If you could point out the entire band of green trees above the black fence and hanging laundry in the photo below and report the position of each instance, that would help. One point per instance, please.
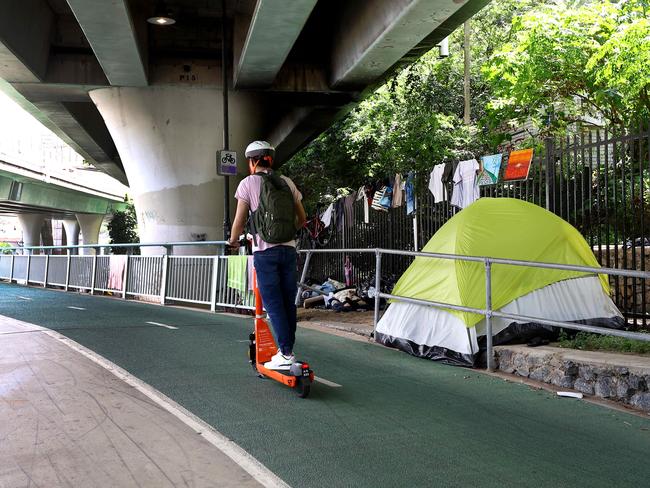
(552, 63)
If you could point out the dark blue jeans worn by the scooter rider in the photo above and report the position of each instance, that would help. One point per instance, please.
(276, 279)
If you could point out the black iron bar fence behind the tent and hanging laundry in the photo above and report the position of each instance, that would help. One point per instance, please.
(597, 181)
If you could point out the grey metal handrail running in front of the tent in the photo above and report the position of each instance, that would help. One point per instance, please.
(488, 312)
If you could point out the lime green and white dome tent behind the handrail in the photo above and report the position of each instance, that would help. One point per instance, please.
(499, 228)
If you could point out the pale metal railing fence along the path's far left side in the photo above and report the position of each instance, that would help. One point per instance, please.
(165, 278)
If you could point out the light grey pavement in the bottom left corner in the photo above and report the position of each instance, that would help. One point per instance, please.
(69, 422)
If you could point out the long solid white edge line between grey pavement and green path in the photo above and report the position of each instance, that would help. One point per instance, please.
(231, 449)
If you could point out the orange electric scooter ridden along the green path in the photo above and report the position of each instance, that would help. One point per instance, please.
(262, 347)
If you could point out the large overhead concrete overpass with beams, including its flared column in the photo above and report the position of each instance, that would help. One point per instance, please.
(144, 101)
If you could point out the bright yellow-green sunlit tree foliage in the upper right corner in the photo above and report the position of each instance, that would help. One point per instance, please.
(566, 61)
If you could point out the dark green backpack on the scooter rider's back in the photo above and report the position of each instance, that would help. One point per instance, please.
(275, 218)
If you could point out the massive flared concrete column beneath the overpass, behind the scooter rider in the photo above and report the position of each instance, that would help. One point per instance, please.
(168, 138)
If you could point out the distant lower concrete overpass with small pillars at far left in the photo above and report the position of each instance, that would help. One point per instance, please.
(34, 196)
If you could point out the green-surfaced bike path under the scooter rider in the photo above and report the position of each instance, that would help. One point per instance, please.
(395, 421)
